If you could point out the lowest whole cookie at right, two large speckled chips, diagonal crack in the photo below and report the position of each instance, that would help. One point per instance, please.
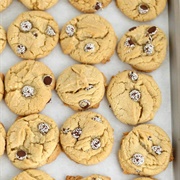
(146, 151)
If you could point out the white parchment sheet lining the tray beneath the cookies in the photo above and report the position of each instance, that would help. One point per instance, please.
(57, 61)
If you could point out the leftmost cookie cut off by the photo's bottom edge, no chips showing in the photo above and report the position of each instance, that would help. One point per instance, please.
(32, 174)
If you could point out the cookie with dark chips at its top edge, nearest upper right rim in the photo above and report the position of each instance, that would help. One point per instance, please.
(143, 47)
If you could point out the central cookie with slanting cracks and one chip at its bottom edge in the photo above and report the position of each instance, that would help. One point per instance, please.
(81, 87)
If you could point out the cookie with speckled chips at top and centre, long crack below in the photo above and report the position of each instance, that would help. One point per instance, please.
(134, 97)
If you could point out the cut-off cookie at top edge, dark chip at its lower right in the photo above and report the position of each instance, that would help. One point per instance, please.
(90, 6)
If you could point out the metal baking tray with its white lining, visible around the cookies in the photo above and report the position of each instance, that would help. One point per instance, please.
(169, 20)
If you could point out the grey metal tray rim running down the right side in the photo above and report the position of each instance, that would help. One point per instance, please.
(174, 30)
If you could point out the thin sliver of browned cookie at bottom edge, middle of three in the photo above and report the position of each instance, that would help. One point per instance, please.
(92, 177)
